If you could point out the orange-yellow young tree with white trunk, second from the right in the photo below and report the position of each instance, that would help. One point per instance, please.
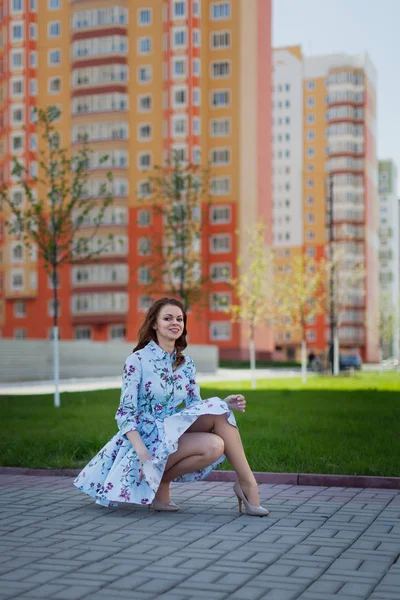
(300, 298)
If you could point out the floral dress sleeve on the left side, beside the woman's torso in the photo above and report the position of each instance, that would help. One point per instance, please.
(127, 413)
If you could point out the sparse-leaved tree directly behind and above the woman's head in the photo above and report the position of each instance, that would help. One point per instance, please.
(177, 192)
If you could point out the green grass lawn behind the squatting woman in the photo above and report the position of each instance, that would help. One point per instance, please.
(347, 425)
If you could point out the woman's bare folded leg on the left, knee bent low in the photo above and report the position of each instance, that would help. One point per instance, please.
(195, 451)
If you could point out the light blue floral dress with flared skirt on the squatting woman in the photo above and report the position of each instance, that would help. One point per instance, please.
(161, 404)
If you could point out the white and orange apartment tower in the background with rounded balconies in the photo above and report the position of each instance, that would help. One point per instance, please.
(324, 121)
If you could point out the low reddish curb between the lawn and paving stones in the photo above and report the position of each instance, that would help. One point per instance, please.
(355, 481)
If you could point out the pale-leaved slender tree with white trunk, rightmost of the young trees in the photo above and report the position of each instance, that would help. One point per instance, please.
(348, 275)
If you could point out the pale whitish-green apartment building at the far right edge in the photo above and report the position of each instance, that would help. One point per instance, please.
(389, 250)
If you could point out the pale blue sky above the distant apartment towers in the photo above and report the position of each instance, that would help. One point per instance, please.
(353, 27)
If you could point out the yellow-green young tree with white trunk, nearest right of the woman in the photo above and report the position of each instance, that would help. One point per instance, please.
(254, 288)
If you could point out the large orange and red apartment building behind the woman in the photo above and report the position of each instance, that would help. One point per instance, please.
(139, 78)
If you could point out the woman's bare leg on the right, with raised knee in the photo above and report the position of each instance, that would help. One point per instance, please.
(234, 451)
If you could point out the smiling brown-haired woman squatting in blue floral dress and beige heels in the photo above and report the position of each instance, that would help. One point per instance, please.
(159, 441)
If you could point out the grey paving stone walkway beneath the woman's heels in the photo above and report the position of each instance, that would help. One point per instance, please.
(318, 543)
